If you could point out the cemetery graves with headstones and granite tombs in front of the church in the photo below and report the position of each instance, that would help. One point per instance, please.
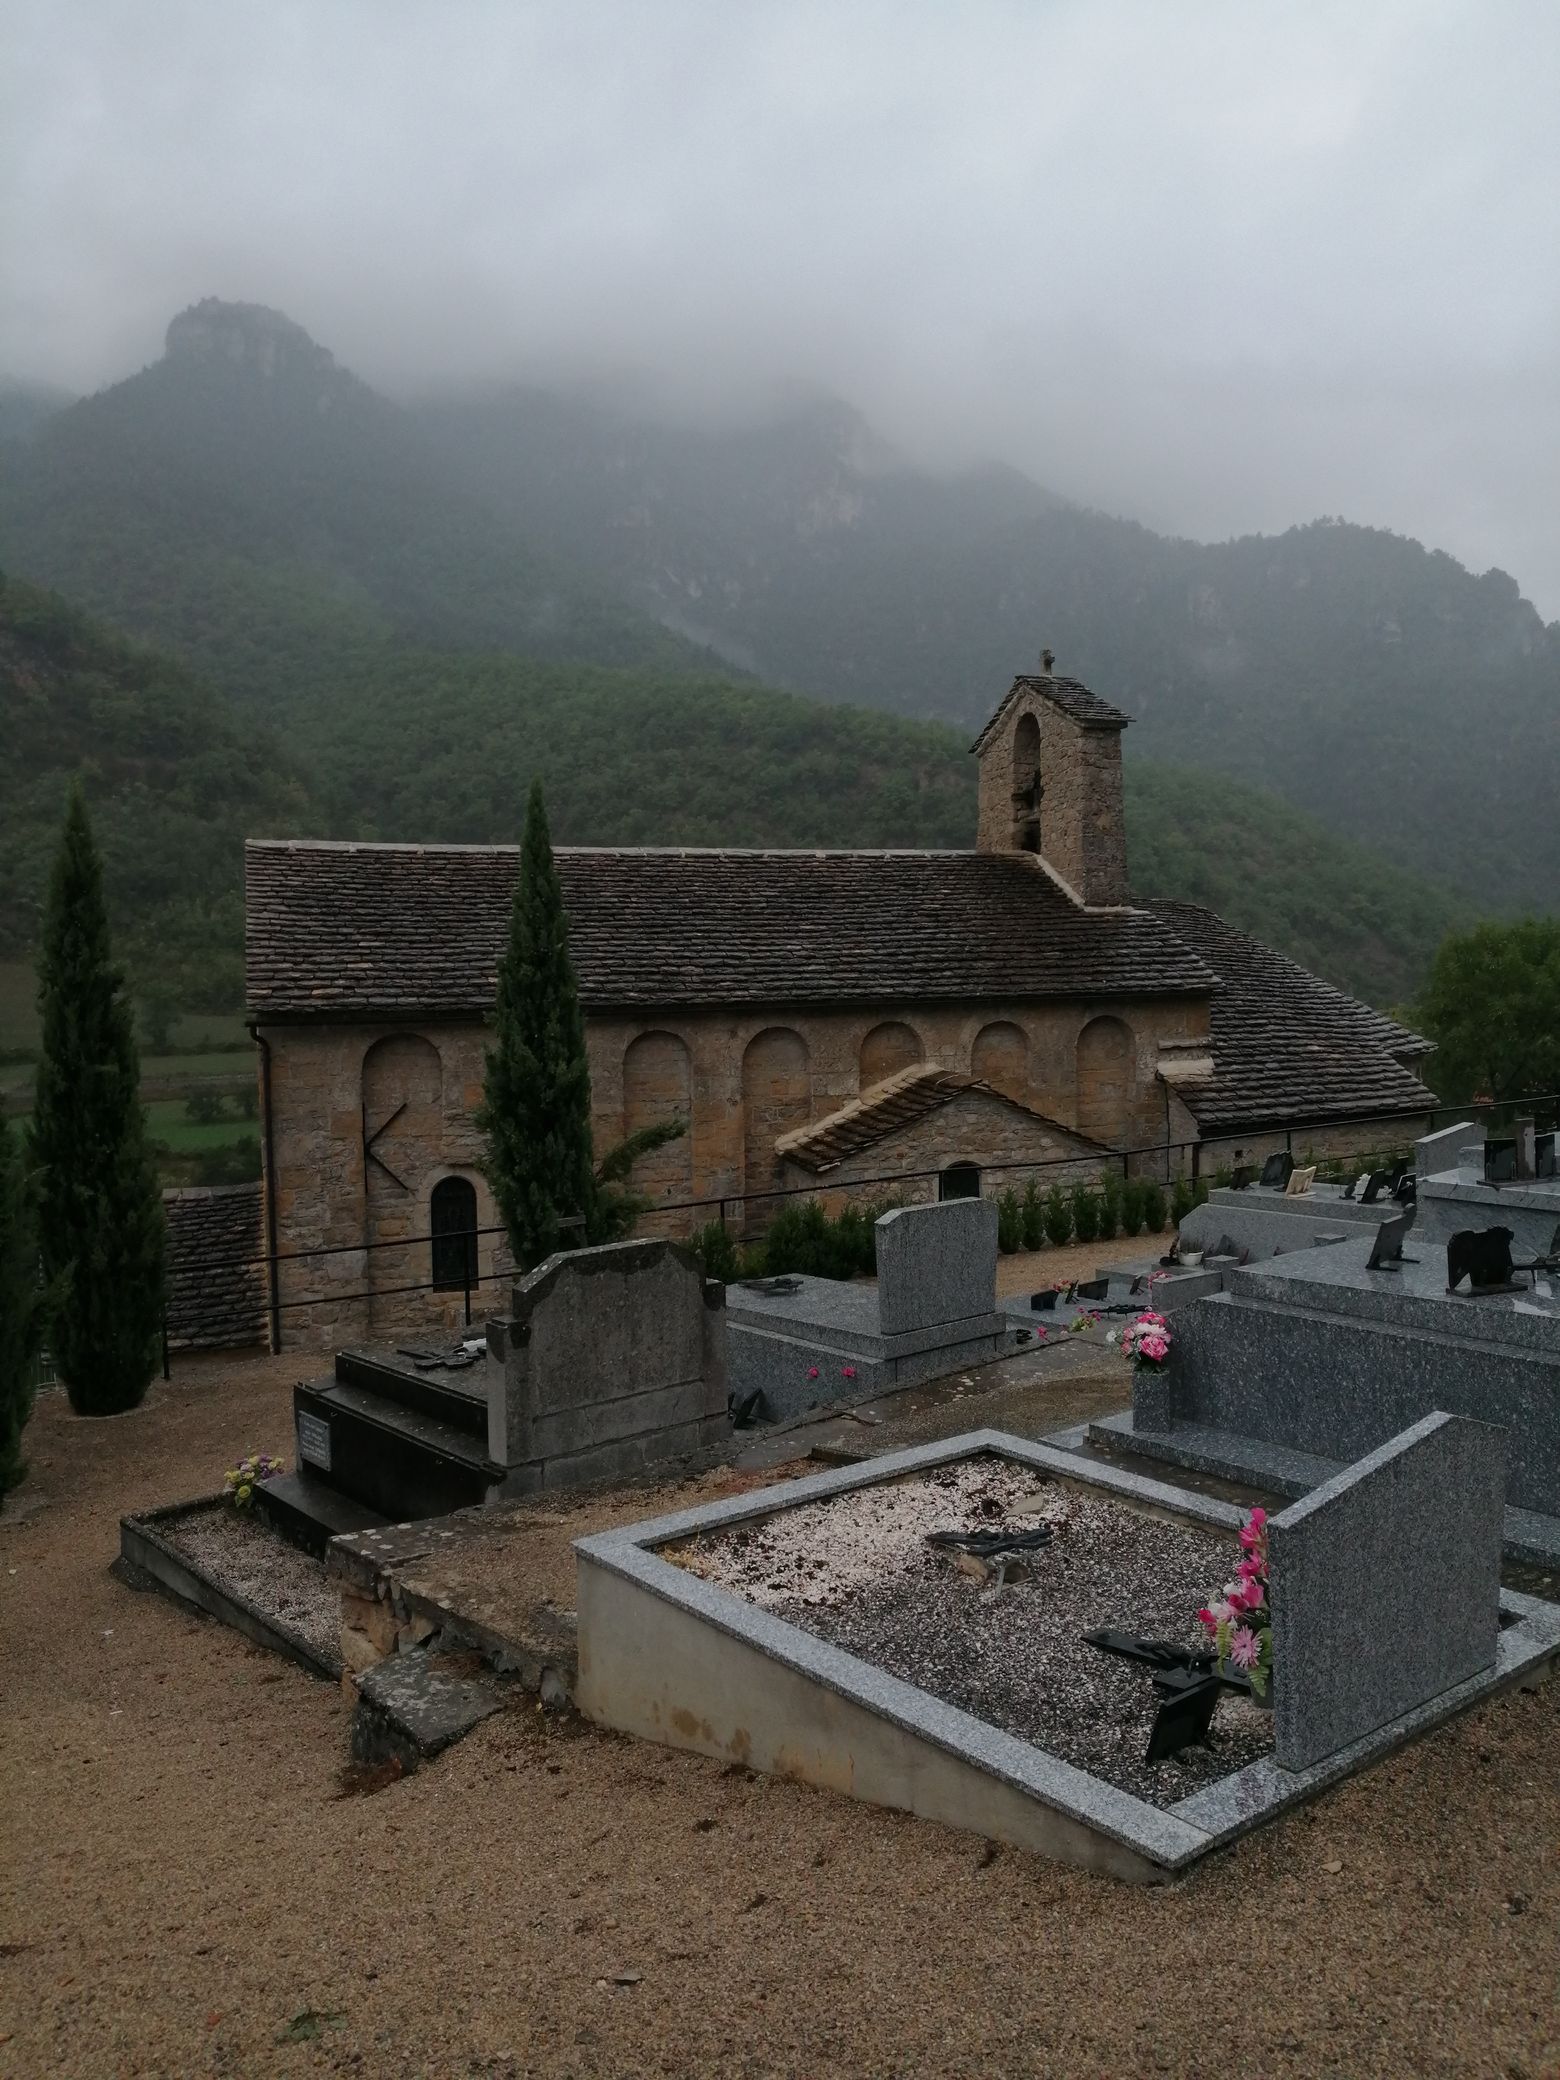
(993, 1632)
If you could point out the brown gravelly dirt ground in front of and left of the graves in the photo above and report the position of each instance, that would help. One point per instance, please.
(184, 1892)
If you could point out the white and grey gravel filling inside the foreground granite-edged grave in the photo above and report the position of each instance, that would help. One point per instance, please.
(858, 1571)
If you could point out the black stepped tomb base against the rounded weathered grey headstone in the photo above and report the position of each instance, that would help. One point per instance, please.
(398, 1461)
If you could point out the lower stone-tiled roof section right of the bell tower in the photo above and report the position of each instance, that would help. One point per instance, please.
(1286, 1045)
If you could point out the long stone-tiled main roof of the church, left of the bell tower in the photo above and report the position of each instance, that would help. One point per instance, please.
(394, 931)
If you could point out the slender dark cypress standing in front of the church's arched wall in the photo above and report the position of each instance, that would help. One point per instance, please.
(538, 1091)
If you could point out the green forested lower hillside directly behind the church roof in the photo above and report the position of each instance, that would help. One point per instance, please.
(427, 746)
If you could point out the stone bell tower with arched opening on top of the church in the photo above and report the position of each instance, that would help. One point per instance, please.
(1051, 785)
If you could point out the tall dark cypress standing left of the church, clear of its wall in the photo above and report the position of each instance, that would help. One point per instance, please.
(99, 1201)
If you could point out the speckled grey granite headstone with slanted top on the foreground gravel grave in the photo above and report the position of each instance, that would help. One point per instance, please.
(1386, 1586)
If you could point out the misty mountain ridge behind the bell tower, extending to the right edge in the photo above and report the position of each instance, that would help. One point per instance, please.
(1370, 681)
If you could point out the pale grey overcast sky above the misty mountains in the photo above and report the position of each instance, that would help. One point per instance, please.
(1220, 265)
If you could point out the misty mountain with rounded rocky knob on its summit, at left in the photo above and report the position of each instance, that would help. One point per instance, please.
(259, 509)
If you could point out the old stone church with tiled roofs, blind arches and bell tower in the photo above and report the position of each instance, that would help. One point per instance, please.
(818, 1020)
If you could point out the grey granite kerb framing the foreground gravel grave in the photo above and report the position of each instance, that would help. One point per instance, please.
(1168, 1838)
